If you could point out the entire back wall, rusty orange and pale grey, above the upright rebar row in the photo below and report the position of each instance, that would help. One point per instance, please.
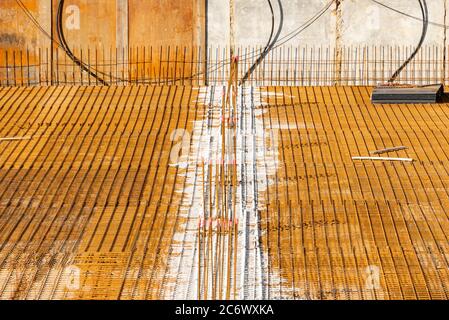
(180, 22)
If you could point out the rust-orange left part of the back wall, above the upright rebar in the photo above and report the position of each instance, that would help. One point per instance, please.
(151, 22)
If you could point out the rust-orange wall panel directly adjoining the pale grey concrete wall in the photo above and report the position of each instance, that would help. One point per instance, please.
(157, 24)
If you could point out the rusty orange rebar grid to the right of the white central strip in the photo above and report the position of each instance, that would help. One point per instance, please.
(329, 221)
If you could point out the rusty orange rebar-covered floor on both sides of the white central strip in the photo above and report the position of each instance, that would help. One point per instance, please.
(88, 192)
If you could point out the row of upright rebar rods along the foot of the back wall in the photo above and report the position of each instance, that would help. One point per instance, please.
(292, 66)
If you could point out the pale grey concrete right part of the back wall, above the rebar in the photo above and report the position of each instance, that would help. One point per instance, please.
(351, 22)
